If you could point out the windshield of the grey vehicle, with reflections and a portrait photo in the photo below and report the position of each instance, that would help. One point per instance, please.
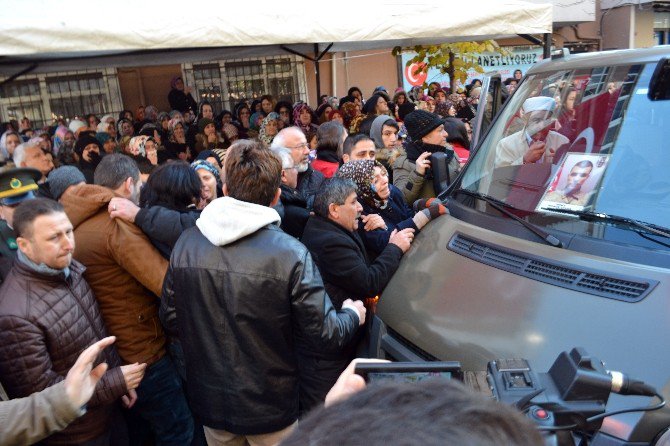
(575, 141)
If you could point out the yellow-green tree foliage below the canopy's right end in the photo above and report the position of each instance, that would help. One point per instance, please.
(453, 59)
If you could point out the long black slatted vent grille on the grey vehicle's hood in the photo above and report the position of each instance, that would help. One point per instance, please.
(555, 273)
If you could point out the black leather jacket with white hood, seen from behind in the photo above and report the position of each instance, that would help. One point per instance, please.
(247, 295)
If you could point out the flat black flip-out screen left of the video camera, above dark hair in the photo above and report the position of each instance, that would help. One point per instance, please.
(408, 372)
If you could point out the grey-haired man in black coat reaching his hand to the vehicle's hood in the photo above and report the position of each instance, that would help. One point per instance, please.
(332, 238)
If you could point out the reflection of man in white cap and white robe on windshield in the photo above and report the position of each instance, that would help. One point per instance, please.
(536, 142)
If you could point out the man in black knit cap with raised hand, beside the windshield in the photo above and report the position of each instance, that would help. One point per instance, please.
(411, 172)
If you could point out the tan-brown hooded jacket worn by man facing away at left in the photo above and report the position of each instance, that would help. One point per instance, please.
(124, 269)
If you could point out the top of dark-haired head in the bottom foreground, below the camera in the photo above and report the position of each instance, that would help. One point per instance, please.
(430, 413)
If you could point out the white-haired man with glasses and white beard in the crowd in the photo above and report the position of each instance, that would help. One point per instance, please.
(309, 180)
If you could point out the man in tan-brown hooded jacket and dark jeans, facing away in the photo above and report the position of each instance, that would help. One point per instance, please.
(126, 273)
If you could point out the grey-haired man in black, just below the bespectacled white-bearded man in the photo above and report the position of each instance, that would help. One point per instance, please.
(292, 206)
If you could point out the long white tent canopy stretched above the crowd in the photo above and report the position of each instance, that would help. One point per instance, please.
(64, 34)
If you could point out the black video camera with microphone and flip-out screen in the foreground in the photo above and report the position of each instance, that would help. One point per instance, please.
(570, 398)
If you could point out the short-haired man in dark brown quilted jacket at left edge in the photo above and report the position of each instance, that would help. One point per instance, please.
(48, 316)
